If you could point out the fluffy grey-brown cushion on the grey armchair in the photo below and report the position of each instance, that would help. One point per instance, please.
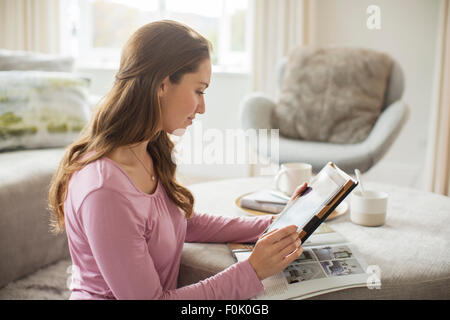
(331, 94)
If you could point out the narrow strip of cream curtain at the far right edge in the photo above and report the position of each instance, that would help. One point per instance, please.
(438, 156)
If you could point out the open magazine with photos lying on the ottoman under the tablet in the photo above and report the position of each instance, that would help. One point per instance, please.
(328, 263)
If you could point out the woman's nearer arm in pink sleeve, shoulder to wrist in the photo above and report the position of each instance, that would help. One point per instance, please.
(115, 236)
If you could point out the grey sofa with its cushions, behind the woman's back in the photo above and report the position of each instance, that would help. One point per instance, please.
(27, 165)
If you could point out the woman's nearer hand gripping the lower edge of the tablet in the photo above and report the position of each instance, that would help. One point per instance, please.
(275, 250)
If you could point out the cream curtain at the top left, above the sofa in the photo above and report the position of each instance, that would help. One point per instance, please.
(30, 25)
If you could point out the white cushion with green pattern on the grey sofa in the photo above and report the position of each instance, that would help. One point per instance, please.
(40, 109)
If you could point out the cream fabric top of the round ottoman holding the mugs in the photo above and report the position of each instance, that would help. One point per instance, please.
(411, 247)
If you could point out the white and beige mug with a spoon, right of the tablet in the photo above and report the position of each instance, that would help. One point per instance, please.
(368, 209)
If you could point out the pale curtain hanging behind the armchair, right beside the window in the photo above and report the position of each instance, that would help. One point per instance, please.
(278, 27)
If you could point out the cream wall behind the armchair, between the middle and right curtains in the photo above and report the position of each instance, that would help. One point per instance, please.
(408, 33)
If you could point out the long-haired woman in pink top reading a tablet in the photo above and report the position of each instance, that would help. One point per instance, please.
(115, 192)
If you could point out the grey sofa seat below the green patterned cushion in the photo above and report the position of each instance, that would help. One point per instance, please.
(26, 243)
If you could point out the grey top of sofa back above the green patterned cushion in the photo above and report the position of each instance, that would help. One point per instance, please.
(24, 60)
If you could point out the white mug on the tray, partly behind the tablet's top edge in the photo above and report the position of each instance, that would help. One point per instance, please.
(291, 175)
